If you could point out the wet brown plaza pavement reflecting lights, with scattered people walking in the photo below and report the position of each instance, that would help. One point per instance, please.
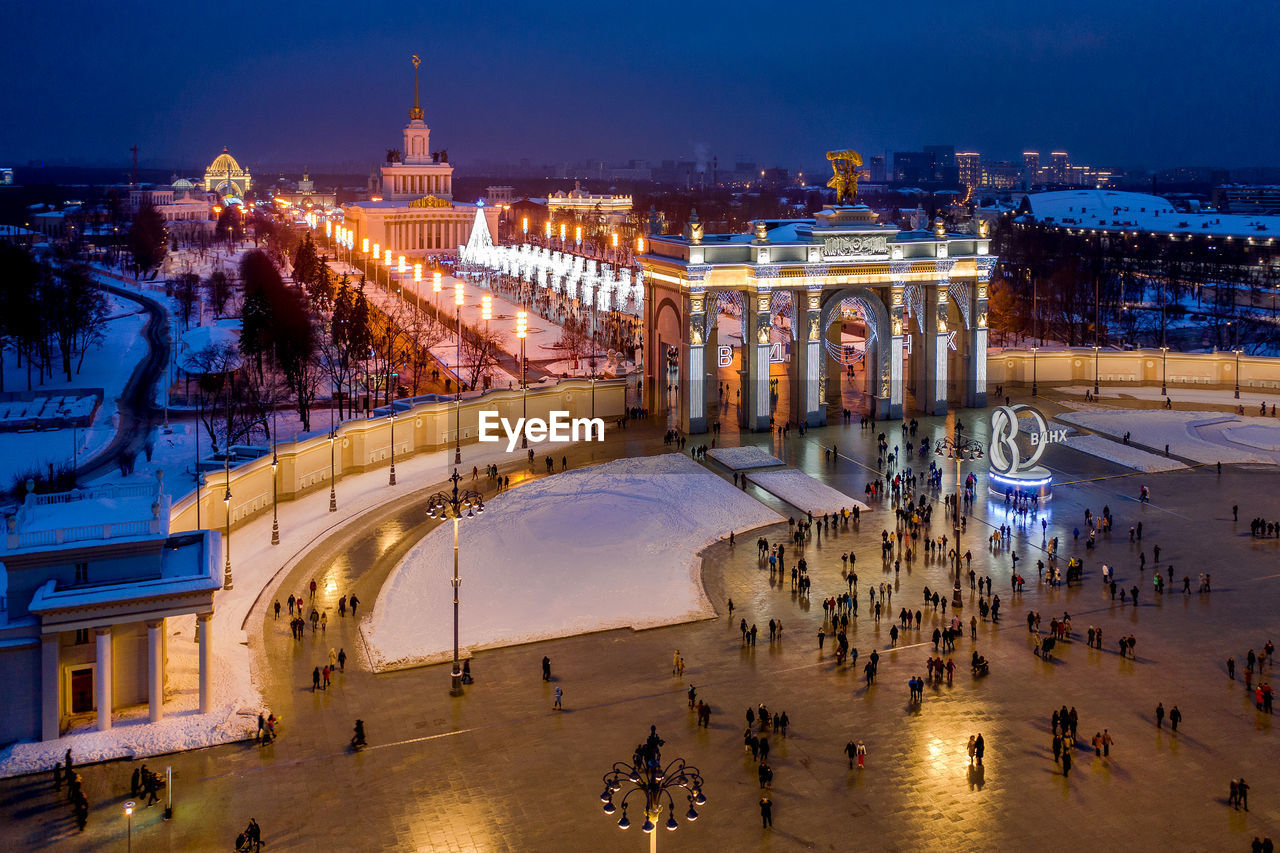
(497, 769)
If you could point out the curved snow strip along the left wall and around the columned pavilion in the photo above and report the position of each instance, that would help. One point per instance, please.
(259, 569)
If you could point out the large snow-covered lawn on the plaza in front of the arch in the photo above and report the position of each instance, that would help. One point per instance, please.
(604, 548)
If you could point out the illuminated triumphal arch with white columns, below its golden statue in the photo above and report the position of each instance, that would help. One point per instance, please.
(917, 298)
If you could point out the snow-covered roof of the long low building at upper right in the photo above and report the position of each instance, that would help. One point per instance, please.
(1114, 211)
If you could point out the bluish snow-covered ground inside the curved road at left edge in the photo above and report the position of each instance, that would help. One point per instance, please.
(108, 366)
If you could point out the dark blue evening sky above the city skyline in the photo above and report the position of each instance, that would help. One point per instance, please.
(1114, 84)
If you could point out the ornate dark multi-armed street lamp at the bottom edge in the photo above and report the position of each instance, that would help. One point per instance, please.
(653, 783)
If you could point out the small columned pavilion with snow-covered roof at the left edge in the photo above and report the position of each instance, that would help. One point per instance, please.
(88, 581)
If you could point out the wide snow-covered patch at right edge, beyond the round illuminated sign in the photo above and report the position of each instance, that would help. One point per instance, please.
(1200, 436)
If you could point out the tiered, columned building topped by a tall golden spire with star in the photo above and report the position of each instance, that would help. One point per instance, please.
(417, 216)
